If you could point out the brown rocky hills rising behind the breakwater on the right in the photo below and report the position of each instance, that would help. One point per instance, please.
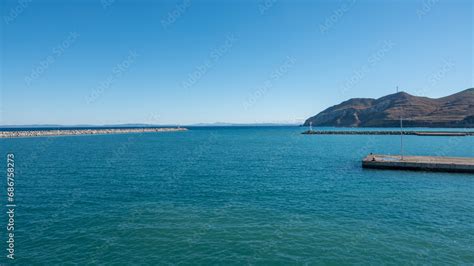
(456, 110)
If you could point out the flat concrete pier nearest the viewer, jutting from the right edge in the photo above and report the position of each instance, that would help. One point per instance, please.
(419, 163)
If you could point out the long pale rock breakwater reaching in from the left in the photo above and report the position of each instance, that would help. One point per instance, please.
(71, 132)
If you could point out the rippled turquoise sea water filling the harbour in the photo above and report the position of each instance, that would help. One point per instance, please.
(236, 196)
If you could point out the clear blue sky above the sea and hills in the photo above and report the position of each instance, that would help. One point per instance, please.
(190, 61)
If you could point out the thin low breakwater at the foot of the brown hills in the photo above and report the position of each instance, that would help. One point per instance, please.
(390, 132)
